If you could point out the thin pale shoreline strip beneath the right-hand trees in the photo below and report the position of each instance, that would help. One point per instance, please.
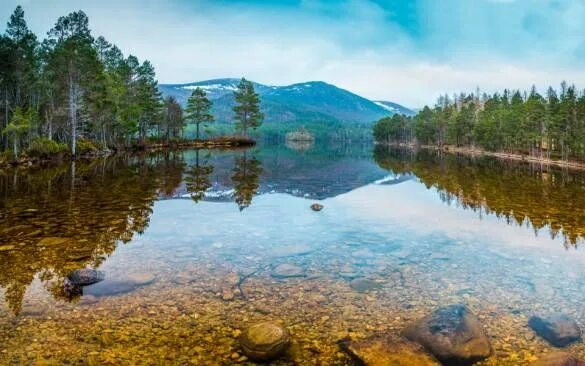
(571, 164)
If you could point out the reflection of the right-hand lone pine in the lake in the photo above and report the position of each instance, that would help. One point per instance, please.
(246, 179)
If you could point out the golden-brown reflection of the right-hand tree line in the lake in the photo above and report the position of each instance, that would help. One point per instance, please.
(515, 191)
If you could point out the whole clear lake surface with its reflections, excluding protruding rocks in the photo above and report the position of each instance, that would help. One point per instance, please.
(184, 276)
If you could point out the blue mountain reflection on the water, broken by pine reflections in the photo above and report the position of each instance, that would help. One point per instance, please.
(316, 174)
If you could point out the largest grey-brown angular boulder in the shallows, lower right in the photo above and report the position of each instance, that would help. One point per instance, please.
(453, 334)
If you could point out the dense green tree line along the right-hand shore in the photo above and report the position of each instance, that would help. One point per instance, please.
(544, 126)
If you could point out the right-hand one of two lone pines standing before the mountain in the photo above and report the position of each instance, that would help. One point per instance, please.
(247, 109)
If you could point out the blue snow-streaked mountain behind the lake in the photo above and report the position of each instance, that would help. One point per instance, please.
(313, 101)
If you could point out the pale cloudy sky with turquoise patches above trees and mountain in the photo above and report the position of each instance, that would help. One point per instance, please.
(409, 52)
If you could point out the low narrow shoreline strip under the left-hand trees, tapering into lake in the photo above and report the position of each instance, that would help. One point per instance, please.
(223, 142)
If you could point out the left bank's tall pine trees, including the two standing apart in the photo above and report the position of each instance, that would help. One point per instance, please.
(73, 93)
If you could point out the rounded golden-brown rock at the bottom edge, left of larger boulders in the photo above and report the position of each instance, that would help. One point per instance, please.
(265, 341)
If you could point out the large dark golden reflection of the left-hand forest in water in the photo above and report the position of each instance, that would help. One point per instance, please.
(68, 217)
